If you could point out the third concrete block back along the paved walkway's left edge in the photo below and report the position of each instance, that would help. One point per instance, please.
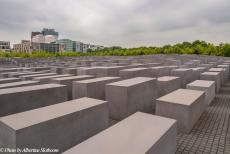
(212, 76)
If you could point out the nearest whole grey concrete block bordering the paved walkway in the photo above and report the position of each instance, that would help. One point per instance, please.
(186, 106)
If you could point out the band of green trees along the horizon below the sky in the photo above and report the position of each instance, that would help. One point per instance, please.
(196, 47)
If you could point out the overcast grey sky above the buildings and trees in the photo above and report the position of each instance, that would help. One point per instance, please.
(128, 23)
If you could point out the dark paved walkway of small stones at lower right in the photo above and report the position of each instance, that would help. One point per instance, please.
(211, 134)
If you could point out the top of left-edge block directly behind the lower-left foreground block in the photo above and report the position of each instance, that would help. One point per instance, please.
(29, 88)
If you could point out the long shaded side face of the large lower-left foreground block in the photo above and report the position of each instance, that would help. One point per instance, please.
(65, 132)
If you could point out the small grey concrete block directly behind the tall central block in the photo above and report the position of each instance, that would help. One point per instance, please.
(134, 72)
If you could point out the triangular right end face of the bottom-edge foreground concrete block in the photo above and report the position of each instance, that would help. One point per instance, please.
(167, 143)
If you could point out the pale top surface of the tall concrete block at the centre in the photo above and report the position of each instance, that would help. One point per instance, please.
(132, 81)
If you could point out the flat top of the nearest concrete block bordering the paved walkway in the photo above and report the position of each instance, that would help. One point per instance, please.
(182, 96)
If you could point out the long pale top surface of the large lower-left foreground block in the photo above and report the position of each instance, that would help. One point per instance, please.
(32, 117)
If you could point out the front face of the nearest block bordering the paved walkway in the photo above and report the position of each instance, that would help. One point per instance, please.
(179, 112)
